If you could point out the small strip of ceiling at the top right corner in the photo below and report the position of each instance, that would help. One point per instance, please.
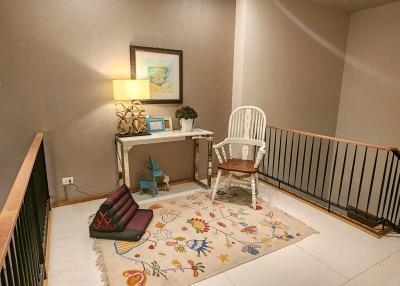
(353, 5)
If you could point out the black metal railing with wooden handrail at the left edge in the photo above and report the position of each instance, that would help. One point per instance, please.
(23, 222)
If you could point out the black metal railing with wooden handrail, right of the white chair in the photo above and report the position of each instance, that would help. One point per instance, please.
(360, 180)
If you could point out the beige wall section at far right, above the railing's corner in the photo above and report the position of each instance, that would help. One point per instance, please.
(370, 97)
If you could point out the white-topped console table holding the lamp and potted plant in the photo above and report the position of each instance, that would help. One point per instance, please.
(124, 145)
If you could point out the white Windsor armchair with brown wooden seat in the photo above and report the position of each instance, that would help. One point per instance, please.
(246, 129)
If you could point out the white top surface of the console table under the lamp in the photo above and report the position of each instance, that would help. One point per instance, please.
(164, 136)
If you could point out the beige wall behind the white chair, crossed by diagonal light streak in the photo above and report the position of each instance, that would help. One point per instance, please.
(293, 62)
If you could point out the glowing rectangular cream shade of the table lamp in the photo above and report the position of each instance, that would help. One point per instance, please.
(131, 89)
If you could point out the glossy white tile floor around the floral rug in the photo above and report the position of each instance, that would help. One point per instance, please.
(339, 255)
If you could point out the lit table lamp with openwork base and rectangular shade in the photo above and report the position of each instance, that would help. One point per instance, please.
(132, 118)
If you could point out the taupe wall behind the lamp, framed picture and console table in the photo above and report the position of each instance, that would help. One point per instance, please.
(57, 62)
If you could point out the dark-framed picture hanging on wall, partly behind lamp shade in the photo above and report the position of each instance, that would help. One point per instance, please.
(163, 69)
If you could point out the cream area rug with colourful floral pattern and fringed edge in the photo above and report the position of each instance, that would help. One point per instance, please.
(191, 238)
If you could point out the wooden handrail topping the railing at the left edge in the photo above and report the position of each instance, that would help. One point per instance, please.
(10, 212)
